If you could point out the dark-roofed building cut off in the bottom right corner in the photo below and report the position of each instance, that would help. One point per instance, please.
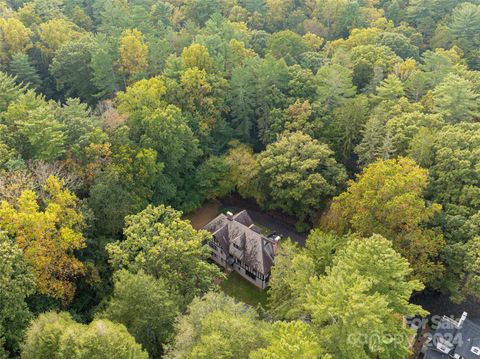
(455, 339)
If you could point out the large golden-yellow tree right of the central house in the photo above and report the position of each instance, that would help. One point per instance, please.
(388, 199)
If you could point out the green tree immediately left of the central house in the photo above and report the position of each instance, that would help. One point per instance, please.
(161, 244)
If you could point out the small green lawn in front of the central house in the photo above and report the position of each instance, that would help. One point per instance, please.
(238, 287)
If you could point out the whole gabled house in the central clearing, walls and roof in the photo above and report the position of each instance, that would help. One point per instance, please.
(238, 244)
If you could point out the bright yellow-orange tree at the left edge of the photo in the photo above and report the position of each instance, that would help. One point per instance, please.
(48, 230)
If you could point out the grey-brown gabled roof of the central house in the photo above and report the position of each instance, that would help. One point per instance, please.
(238, 236)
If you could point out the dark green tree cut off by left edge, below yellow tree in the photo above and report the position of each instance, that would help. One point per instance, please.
(16, 284)
